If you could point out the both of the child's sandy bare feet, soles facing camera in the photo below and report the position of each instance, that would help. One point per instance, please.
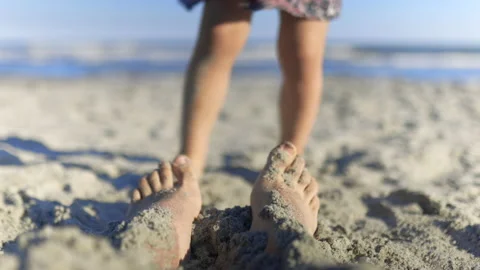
(284, 176)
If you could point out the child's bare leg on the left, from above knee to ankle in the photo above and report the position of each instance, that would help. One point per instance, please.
(224, 30)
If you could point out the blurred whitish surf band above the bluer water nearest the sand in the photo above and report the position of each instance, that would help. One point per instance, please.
(103, 52)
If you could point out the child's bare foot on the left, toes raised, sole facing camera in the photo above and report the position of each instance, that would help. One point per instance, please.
(181, 197)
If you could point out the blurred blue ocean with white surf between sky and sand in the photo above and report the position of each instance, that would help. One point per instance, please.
(406, 61)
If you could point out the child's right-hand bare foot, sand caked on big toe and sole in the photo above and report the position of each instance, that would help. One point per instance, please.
(287, 182)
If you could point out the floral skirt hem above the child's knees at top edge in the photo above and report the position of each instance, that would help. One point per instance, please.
(313, 9)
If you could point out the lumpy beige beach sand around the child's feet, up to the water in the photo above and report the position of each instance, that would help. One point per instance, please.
(398, 165)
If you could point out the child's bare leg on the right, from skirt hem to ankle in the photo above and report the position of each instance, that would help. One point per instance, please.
(301, 46)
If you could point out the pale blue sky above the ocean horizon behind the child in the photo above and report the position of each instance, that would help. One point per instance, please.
(362, 20)
